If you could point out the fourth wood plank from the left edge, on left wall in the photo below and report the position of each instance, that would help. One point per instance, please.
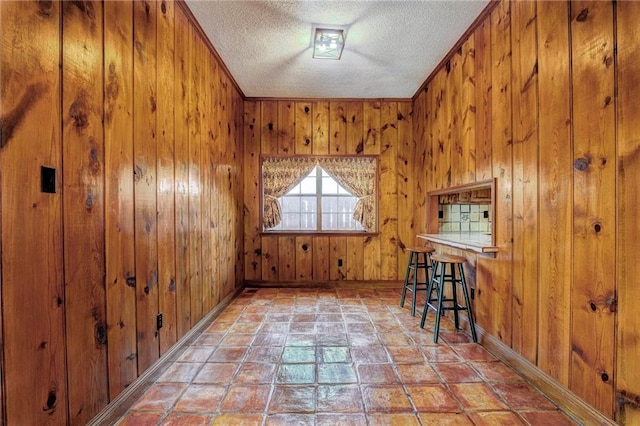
(145, 178)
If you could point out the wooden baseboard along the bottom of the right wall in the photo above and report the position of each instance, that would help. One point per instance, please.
(570, 403)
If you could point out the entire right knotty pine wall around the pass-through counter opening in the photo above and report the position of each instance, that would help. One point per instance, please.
(542, 96)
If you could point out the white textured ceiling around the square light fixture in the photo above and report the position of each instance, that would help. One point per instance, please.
(390, 48)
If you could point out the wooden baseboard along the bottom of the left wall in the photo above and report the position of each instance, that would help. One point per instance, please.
(119, 406)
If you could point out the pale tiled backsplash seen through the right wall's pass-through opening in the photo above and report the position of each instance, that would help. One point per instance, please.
(464, 218)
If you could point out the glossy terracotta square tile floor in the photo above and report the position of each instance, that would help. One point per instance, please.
(336, 357)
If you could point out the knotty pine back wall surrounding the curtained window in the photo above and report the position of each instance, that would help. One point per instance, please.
(332, 127)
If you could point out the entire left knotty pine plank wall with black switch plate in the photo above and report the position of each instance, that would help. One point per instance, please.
(143, 127)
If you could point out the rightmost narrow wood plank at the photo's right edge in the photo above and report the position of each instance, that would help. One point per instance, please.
(628, 333)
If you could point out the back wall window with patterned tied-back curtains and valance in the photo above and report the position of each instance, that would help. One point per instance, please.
(319, 194)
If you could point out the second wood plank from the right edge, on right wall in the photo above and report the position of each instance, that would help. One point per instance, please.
(593, 290)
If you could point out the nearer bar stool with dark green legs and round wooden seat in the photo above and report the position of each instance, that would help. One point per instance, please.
(437, 282)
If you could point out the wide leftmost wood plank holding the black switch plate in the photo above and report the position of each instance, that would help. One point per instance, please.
(31, 221)
